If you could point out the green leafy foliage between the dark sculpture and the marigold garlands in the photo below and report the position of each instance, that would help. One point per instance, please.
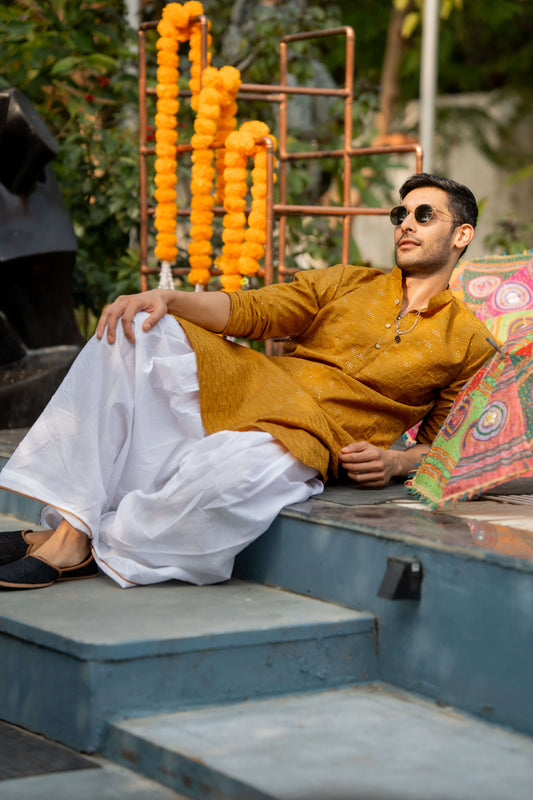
(75, 61)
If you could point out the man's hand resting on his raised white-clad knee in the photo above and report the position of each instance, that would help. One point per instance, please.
(124, 308)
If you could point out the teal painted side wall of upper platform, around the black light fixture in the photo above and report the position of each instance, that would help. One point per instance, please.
(467, 643)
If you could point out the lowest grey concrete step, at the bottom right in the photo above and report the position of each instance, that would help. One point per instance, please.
(357, 743)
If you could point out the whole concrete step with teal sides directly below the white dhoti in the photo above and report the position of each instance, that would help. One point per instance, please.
(104, 653)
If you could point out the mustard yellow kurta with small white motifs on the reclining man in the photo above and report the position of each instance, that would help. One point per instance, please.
(343, 377)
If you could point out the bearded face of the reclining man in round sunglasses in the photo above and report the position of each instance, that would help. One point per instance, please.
(426, 248)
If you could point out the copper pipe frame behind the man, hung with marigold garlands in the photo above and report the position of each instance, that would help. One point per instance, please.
(281, 210)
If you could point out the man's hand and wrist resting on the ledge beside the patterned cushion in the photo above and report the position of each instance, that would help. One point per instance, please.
(369, 465)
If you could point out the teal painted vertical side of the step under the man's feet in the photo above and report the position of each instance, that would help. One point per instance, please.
(95, 692)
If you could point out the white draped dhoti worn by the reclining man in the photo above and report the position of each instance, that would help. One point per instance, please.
(120, 452)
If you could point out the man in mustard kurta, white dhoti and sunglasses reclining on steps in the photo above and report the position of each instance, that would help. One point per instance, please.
(168, 448)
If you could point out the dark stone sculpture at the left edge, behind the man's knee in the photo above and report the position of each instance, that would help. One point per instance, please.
(39, 337)
